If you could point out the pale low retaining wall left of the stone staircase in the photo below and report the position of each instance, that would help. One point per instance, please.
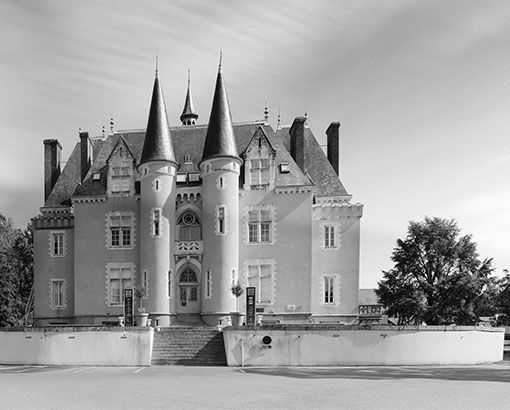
(82, 346)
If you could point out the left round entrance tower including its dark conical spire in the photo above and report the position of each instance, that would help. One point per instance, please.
(157, 210)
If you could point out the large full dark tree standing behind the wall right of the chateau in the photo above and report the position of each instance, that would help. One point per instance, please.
(438, 277)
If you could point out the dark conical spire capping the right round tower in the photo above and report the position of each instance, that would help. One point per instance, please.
(220, 140)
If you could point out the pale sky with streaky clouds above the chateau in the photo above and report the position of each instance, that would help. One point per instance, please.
(421, 89)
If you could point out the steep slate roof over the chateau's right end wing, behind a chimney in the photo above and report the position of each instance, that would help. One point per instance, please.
(316, 165)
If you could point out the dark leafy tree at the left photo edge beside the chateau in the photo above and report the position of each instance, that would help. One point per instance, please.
(16, 271)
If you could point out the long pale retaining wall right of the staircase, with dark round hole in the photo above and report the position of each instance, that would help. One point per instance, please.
(327, 345)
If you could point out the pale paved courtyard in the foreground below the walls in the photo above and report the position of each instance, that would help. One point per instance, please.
(424, 387)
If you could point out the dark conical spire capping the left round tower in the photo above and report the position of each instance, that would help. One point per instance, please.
(157, 145)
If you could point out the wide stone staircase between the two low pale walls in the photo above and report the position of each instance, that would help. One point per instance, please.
(189, 345)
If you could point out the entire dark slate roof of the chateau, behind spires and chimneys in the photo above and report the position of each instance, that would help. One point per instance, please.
(189, 141)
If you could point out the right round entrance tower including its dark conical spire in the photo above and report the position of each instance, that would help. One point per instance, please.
(219, 169)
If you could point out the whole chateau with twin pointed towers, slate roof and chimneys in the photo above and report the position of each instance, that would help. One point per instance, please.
(184, 213)
